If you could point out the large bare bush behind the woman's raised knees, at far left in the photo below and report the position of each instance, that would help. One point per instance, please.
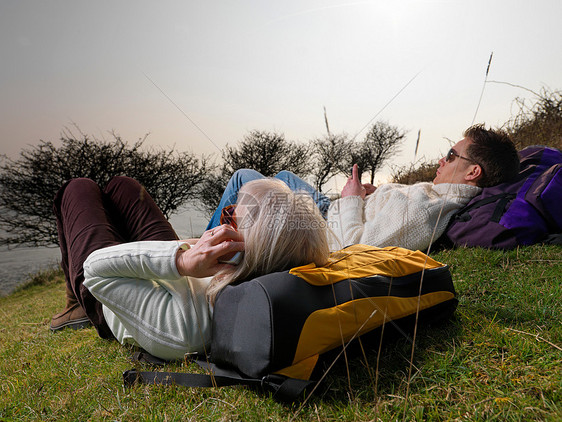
(29, 183)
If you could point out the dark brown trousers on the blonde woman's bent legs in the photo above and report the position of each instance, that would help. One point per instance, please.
(89, 219)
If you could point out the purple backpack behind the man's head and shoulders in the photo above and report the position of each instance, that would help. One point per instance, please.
(524, 211)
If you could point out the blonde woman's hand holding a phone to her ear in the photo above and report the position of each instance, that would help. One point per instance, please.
(202, 259)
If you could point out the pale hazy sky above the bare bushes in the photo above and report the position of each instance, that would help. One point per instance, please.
(197, 75)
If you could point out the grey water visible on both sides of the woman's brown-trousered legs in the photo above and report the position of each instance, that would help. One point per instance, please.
(17, 264)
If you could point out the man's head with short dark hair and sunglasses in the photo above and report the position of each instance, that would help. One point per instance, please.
(484, 157)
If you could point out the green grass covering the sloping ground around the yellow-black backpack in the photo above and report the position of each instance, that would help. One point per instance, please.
(500, 358)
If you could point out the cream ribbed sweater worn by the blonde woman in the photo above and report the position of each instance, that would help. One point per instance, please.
(145, 298)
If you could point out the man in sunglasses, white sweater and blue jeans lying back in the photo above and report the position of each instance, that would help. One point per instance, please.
(409, 216)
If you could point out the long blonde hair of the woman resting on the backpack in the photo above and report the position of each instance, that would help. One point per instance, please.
(282, 229)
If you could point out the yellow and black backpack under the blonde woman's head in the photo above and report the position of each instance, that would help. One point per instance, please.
(271, 331)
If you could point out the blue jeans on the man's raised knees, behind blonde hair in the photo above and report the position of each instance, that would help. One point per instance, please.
(240, 177)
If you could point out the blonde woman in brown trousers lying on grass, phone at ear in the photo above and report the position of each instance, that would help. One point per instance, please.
(132, 278)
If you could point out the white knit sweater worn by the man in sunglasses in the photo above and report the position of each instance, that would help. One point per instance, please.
(410, 216)
